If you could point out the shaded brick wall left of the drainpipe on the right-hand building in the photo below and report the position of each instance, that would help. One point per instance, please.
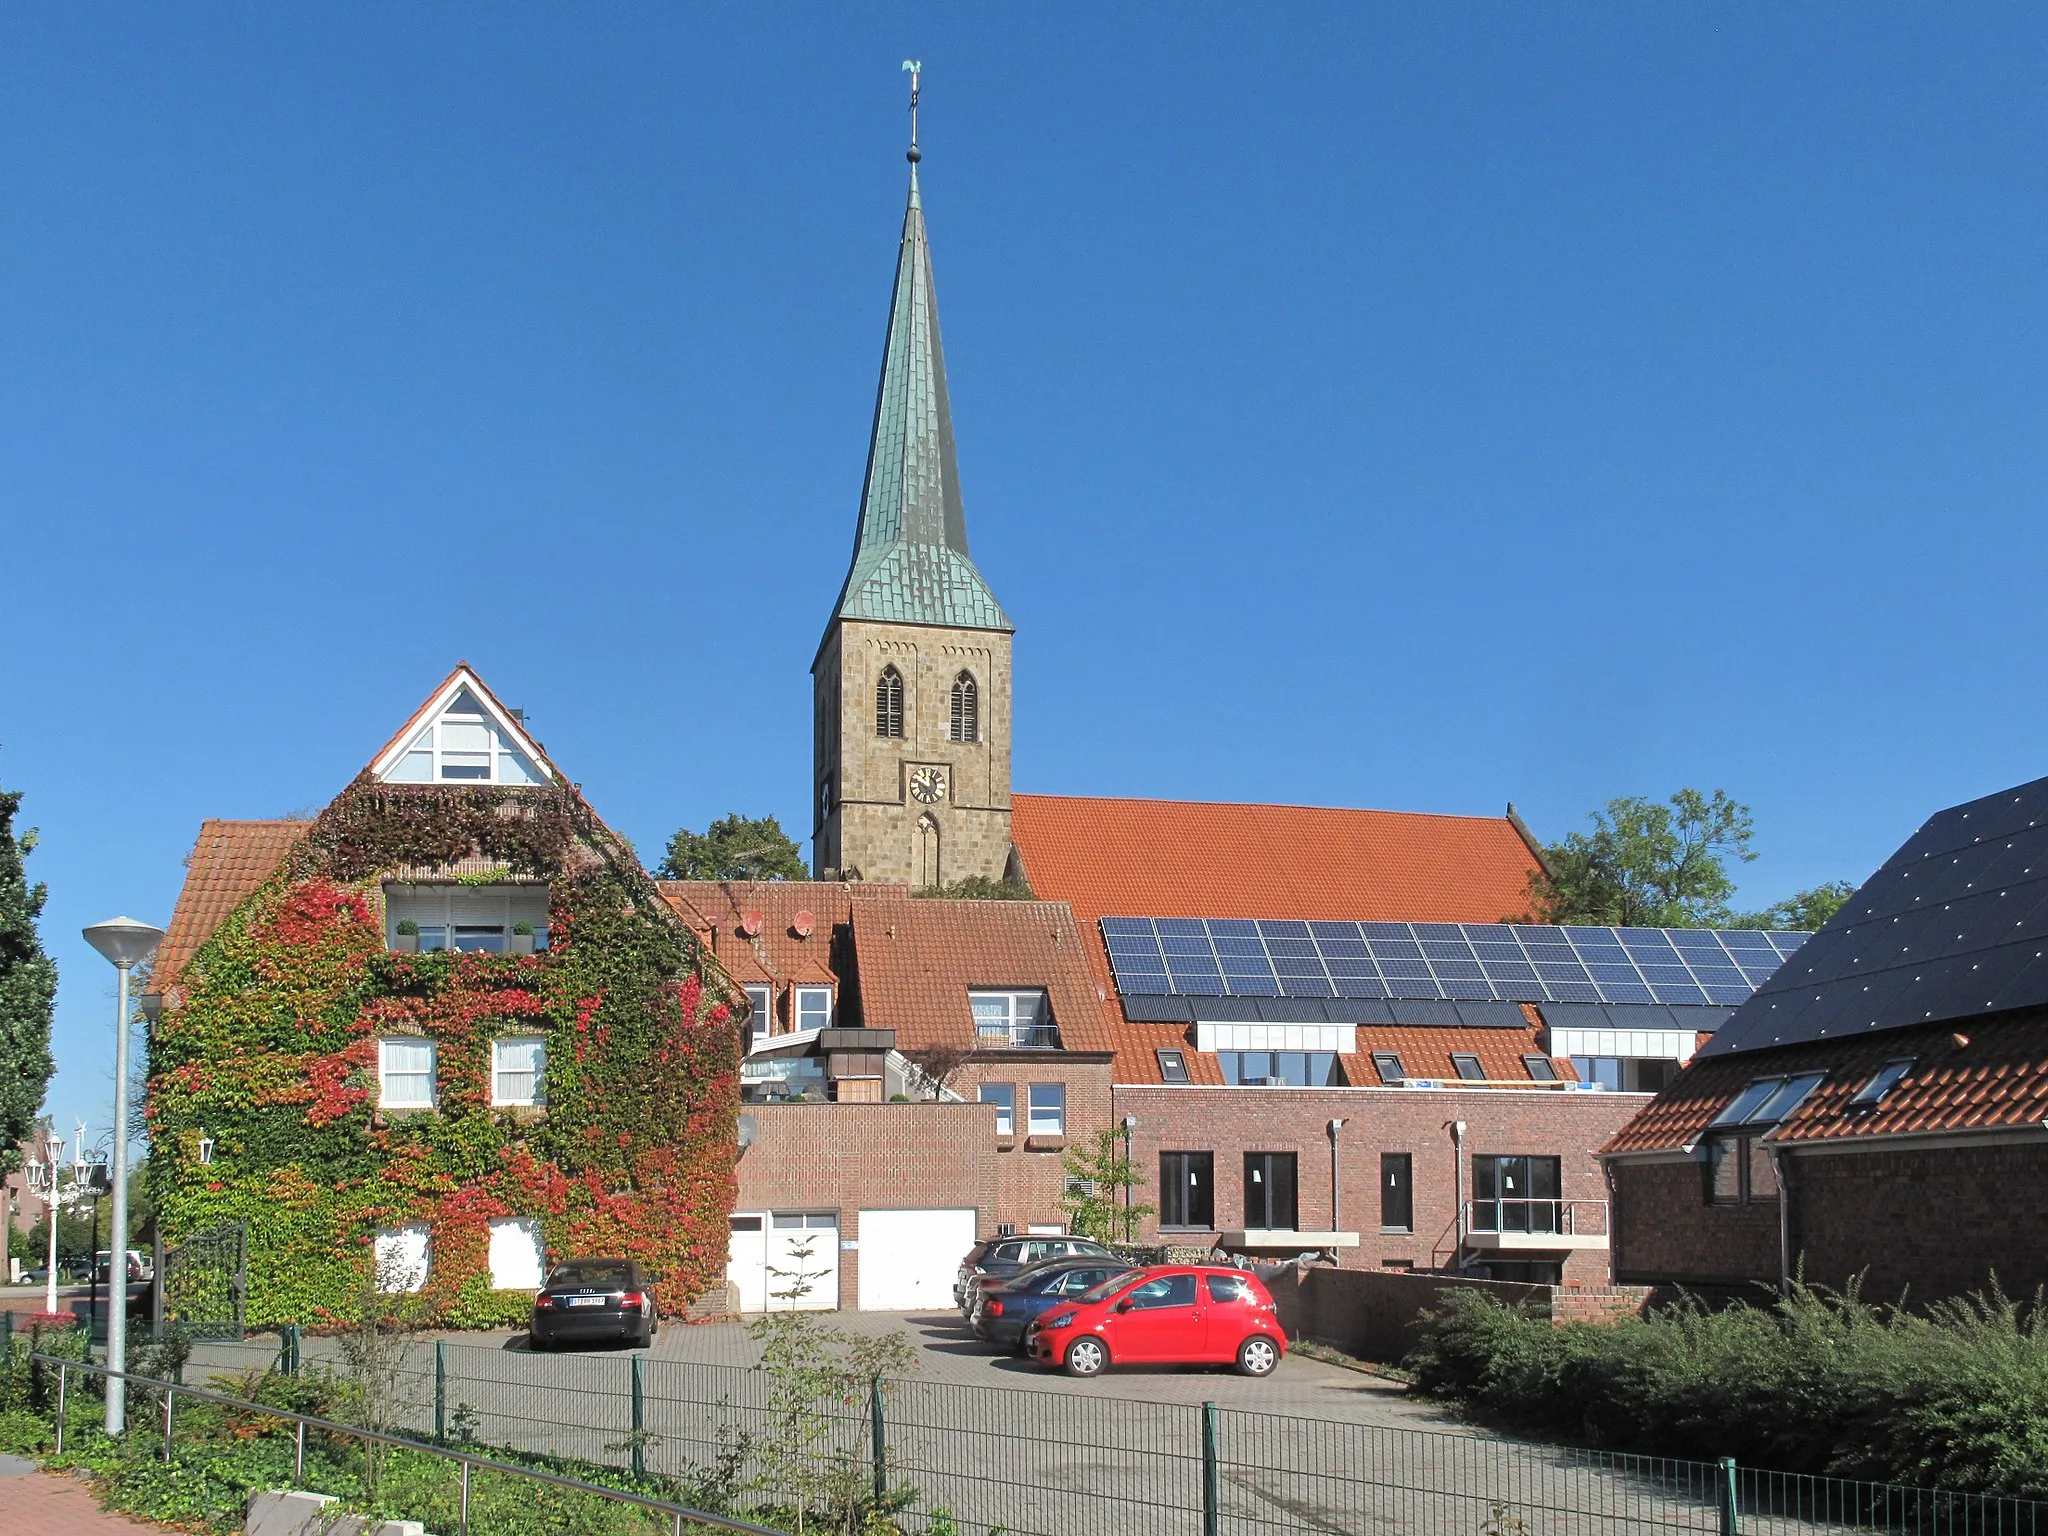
(1666, 1234)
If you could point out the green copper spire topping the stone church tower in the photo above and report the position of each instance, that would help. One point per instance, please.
(910, 554)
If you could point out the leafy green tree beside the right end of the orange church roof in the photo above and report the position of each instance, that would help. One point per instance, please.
(1648, 865)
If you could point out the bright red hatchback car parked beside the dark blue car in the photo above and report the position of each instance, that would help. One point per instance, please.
(1164, 1316)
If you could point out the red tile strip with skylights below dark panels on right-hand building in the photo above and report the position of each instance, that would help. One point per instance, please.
(1981, 1078)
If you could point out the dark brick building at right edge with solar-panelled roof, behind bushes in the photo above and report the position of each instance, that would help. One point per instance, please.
(1881, 1109)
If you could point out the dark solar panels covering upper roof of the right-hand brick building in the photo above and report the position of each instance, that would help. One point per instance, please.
(1953, 927)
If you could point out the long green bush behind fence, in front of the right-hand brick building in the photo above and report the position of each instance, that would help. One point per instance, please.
(1818, 1383)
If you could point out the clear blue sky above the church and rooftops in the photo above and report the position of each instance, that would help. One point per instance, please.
(1357, 407)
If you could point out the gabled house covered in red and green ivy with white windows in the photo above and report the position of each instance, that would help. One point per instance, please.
(441, 1035)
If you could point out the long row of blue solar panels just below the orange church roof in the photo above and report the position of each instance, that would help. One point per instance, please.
(1523, 964)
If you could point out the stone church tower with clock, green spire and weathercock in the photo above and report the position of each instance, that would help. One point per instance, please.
(912, 681)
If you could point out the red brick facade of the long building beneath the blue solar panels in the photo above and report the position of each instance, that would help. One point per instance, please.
(1234, 1121)
